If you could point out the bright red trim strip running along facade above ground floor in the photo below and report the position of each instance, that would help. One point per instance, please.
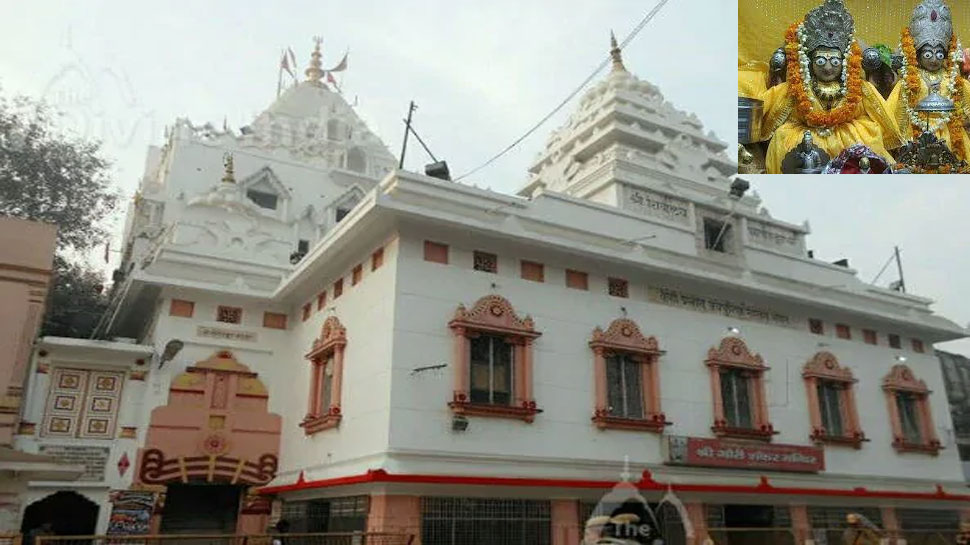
(646, 482)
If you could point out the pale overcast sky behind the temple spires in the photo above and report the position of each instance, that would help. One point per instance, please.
(481, 73)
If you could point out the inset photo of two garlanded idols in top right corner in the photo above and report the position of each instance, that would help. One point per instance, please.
(853, 87)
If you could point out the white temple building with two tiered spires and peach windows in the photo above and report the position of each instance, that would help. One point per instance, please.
(302, 331)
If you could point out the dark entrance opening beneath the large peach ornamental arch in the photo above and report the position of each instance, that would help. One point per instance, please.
(200, 509)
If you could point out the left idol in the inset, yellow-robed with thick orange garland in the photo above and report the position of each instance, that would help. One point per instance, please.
(825, 92)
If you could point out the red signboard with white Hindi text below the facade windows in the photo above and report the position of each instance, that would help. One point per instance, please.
(709, 452)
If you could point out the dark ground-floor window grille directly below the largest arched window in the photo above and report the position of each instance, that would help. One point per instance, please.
(461, 521)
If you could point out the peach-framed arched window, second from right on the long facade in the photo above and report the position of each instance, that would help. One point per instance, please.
(831, 401)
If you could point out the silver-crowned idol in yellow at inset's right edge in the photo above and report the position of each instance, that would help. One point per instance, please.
(932, 56)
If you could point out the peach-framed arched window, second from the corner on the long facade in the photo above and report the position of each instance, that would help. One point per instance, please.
(627, 379)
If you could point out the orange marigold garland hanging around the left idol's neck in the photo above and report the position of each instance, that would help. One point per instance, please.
(796, 84)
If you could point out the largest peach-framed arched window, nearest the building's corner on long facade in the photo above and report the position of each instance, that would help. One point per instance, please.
(493, 361)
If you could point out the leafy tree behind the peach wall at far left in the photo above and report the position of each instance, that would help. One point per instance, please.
(49, 176)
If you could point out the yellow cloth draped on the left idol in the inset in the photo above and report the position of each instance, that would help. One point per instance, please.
(872, 126)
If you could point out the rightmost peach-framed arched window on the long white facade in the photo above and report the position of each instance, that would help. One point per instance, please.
(909, 412)
